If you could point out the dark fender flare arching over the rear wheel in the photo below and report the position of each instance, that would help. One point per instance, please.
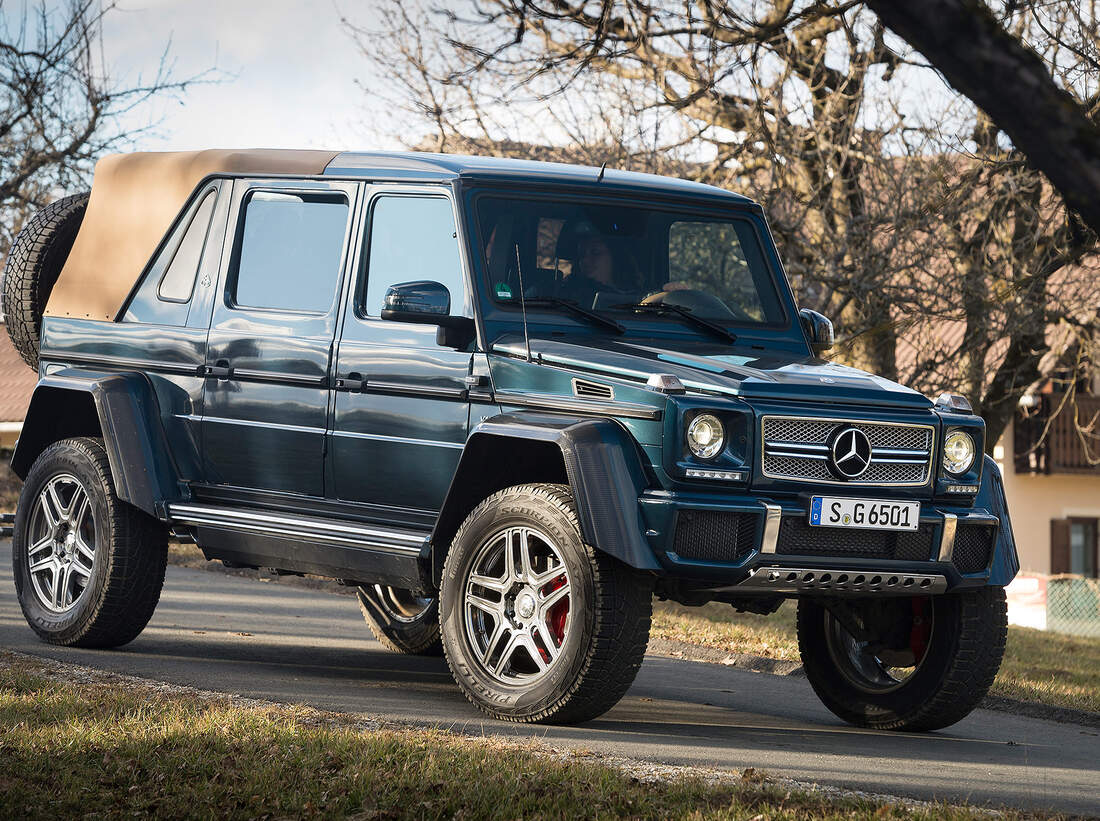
(129, 421)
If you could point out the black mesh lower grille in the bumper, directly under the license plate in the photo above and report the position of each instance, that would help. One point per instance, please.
(799, 539)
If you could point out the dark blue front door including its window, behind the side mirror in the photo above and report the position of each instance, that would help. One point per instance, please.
(401, 410)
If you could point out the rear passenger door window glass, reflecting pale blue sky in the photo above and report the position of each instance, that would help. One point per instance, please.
(290, 251)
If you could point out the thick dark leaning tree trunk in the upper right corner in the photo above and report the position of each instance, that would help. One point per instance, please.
(1010, 83)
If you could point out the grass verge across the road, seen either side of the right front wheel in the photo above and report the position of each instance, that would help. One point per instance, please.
(1048, 669)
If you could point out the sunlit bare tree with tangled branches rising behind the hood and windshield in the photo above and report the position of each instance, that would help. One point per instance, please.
(945, 258)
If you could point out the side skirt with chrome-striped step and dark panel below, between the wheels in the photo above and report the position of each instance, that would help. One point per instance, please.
(354, 552)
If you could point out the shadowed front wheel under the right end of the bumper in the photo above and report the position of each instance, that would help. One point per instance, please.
(916, 664)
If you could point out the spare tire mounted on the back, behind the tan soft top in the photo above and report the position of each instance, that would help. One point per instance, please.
(35, 264)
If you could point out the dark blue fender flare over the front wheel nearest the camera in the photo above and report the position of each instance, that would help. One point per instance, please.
(603, 467)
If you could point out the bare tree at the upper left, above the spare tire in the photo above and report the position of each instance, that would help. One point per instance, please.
(60, 108)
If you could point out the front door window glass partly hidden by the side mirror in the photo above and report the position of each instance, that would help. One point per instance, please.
(413, 238)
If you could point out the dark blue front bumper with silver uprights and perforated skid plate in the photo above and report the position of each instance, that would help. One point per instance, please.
(758, 545)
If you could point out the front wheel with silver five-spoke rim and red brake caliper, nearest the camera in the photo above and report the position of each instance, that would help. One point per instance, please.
(537, 626)
